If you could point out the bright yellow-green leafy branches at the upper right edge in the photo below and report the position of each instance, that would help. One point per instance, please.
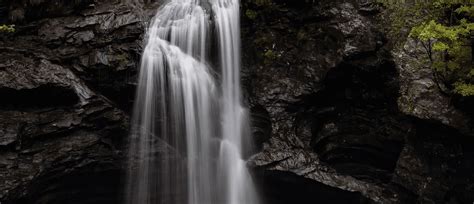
(449, 44)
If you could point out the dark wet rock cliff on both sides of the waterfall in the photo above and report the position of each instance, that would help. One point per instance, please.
(338, 115)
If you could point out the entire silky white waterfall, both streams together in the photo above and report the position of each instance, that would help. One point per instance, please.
(189, 130)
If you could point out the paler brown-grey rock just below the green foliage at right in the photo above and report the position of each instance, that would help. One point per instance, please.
(420, 95)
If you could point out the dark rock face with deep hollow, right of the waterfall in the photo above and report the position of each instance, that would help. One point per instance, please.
(336, 105)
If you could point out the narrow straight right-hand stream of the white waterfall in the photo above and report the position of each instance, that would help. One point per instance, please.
(234, 118)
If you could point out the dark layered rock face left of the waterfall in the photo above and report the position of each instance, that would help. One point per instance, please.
(66, 85)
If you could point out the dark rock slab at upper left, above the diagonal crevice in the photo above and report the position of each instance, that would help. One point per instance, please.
(102, 43)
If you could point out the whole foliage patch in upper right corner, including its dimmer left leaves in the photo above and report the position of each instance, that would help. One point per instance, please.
(445, 29)
